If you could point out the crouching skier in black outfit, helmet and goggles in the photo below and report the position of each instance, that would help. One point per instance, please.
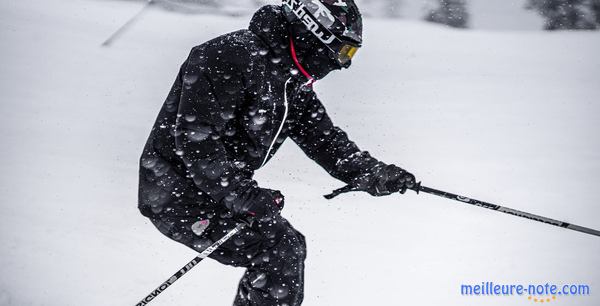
(235, 100)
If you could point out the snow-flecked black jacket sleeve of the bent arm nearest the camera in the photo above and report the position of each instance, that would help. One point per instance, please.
(213, 86)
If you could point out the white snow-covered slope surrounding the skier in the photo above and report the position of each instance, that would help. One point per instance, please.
(507, 117)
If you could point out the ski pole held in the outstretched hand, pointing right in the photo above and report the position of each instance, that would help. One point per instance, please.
(418, 188)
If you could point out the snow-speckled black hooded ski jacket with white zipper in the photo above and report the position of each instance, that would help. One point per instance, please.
(235, 100)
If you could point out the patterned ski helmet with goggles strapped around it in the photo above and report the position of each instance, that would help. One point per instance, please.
(336, 23)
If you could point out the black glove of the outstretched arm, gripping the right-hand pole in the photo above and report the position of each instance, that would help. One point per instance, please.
(384, 180)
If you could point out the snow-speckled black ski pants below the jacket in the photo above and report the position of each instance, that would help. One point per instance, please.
(273, 254)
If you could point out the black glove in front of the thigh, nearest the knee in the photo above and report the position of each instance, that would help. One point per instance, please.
(260, 204)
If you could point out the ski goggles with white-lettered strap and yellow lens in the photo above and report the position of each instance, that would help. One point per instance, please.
(322, 23)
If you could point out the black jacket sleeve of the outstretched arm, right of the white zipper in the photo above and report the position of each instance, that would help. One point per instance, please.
(329, 145)
